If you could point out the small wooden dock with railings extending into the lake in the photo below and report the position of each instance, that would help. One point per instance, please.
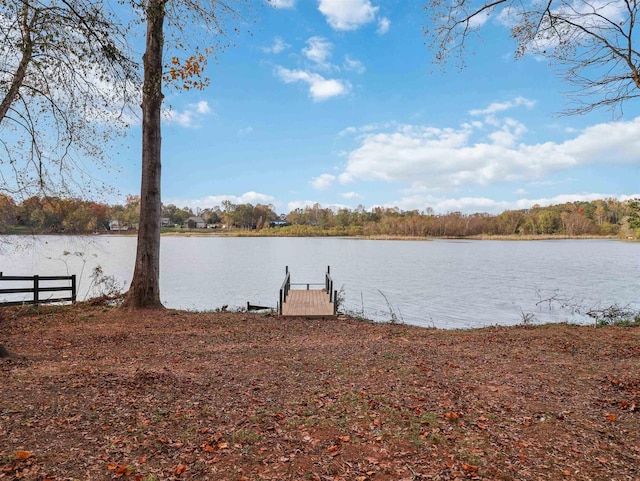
(307, 302)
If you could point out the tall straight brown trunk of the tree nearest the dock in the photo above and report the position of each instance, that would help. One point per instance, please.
(145, 285)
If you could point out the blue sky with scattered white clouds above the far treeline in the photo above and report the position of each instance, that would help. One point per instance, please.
(339, 102)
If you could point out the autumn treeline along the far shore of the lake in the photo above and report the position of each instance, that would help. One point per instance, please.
(53, 215)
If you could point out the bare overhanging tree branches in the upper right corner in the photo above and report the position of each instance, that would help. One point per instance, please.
(593, 43)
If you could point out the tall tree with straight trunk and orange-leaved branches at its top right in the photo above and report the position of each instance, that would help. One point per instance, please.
(180, 16)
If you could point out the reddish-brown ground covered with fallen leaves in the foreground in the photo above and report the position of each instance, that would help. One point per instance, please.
(99, 393)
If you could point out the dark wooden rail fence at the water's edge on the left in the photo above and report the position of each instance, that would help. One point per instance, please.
(37, 289)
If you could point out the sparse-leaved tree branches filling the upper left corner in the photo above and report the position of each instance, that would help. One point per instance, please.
(65, 80)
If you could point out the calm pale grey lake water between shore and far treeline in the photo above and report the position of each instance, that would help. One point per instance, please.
(448, 284)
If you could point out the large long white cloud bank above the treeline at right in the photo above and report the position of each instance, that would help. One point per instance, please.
(482, 154)
